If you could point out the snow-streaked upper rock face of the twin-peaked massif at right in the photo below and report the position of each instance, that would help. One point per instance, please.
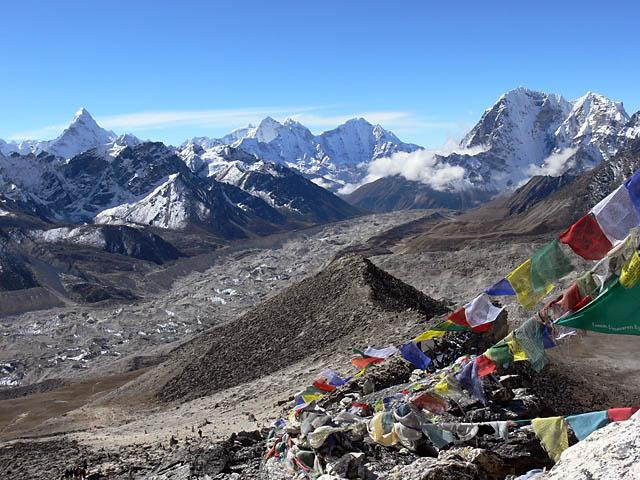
(531, 132)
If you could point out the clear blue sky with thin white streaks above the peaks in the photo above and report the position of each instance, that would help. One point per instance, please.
(426, 70)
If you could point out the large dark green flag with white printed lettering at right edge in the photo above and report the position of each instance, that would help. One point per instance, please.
(615, 310)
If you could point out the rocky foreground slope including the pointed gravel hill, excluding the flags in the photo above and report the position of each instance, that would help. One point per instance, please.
(311, 325)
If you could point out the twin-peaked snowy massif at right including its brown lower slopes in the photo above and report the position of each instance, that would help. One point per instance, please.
(525, 134)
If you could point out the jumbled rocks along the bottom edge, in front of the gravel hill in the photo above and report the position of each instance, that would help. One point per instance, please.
(517, 394)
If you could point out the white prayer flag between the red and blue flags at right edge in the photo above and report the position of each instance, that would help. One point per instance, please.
(616, 214)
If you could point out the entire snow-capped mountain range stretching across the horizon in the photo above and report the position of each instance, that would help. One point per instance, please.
(89, 174)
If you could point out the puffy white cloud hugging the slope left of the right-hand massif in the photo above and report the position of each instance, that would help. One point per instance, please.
(422, 166)
